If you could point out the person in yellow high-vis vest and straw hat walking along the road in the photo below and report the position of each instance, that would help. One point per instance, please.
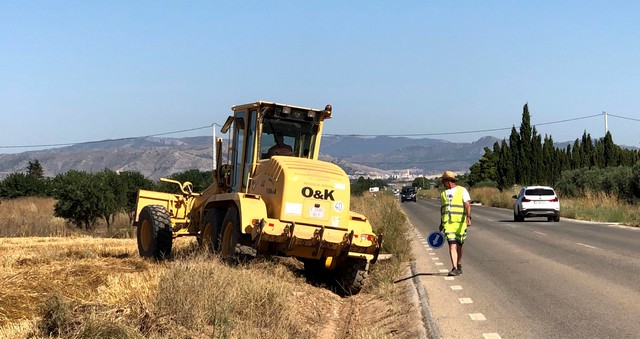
(455, 214)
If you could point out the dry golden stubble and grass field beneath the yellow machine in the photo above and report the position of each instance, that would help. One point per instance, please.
(85, 287)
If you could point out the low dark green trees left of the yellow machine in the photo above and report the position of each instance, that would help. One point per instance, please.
(83, 198)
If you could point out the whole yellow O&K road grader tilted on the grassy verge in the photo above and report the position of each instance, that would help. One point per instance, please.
(271, 196)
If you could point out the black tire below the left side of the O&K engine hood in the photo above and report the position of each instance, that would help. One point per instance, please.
(233, 244)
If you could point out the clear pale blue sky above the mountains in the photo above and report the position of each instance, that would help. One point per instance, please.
(76, 71)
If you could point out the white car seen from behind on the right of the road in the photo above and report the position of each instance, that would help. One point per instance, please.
(536, 201)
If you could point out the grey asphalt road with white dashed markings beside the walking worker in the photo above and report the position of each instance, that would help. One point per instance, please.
(531, 279)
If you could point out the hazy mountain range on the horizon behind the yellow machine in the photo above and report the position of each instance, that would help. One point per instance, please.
(154, 157)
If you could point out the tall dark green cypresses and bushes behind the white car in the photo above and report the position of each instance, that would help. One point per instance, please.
(527, 158)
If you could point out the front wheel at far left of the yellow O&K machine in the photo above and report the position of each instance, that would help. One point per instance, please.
(154, 233)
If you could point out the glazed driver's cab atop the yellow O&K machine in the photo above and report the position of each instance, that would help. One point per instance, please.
(259, 128)
